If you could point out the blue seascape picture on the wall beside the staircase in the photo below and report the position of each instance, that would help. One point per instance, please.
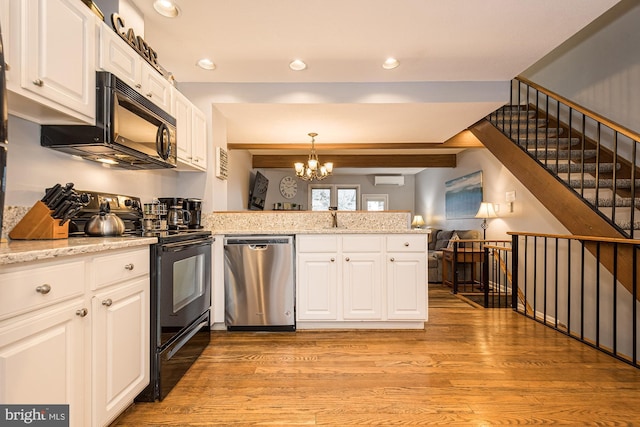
(463, 196)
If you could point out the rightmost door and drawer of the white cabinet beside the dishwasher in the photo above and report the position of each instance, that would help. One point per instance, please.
(406, 277)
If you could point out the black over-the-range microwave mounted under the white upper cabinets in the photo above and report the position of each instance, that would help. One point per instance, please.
(131, 132)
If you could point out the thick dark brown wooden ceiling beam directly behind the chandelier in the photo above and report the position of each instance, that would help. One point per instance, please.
(364, 161)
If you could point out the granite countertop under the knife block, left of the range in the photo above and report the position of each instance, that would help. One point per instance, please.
(16, 251)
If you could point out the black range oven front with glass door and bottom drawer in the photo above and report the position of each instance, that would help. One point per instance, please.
(180, 302)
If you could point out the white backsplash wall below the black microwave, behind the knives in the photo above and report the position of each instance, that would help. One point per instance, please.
(31, 168)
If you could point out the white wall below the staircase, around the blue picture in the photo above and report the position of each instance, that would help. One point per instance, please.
(528, 215)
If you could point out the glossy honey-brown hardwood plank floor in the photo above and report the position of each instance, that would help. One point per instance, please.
(469, 366)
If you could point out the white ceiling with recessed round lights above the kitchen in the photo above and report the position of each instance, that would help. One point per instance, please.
(456, 57)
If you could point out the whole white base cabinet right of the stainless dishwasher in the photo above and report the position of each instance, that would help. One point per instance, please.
(361, 280)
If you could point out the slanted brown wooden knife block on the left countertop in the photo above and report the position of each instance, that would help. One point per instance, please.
(39, 224)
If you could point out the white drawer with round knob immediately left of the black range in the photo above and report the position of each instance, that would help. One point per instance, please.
(117, 267)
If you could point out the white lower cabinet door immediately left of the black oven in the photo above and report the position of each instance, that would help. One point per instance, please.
(120, 348)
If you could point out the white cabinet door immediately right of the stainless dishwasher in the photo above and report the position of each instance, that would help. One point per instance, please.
(317, 287)
